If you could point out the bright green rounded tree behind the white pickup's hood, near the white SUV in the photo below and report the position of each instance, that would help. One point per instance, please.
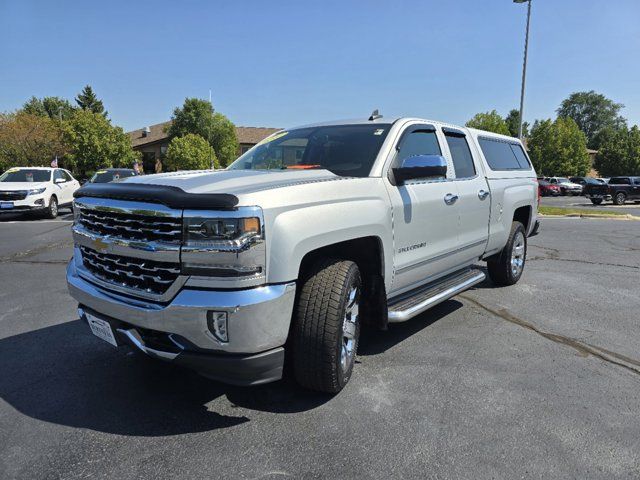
(94, 143)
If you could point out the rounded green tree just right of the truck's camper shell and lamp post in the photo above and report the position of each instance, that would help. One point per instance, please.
(558, 148)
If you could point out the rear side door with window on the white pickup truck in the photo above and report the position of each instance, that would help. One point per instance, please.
(474, 202)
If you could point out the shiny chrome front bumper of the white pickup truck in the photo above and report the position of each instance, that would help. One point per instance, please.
(258, 326)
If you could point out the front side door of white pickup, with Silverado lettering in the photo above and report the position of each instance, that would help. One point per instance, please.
(425, 217)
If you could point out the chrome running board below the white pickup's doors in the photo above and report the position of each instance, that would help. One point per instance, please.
(415, 302)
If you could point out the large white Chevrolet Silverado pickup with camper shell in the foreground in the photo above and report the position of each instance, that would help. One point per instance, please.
(309, 235)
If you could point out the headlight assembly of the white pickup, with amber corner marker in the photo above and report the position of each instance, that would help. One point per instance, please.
(226, 245)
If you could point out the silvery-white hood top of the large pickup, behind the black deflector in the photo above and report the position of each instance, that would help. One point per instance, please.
(234, 181)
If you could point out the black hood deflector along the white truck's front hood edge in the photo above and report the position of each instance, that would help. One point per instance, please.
(171, 196)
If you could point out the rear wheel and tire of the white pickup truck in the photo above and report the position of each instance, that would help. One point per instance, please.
(506, 267)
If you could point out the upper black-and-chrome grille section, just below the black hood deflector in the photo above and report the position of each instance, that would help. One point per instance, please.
(130, 226)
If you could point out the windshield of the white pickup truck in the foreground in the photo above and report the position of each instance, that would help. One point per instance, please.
(346, 150)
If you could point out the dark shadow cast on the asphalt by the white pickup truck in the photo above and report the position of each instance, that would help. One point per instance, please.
(63, 375)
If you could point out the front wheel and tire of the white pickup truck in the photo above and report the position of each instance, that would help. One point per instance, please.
(326, 326)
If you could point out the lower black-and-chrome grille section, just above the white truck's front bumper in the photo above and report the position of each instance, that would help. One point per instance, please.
(134, 273)
